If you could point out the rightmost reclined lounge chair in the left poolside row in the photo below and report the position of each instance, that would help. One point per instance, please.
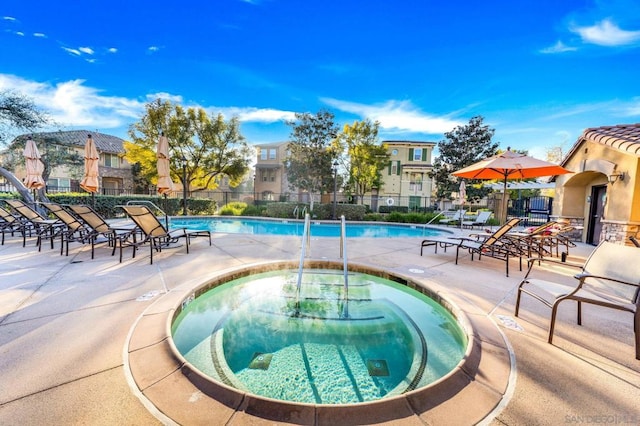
(155, 232)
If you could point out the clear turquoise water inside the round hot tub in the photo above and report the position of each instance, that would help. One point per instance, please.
(258, 335)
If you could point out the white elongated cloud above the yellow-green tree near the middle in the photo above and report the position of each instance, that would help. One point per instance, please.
(397, 115)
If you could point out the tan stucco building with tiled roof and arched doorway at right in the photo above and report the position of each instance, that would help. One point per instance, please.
(602, 195)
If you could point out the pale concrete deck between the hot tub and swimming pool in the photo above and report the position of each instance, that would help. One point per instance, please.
(67, 325)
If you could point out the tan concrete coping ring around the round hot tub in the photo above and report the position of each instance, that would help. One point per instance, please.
(176, 392)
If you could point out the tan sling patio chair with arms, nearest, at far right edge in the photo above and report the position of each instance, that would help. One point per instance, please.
(608, 278)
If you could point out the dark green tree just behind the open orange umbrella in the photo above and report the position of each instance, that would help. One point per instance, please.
(463, 146)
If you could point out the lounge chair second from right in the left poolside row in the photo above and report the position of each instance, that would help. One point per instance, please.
(96, 225)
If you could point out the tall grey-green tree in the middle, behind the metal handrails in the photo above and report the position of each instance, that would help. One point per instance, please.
(311, 153)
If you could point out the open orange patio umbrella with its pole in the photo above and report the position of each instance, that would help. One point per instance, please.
(510, 165)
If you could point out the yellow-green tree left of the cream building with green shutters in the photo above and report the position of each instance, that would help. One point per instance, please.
(365, 156)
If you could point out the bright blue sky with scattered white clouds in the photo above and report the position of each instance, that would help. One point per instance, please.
(538, 71)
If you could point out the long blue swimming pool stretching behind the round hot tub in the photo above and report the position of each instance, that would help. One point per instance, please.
(294, 228)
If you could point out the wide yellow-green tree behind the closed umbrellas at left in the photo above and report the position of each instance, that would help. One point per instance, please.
(212, 147)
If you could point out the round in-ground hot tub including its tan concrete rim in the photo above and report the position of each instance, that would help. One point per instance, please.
(250, 343)
